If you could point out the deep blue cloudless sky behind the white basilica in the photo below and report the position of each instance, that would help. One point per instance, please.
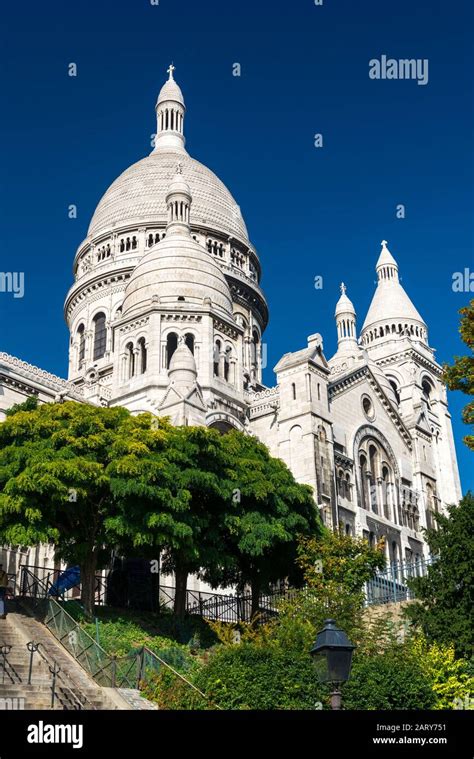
(308, 211)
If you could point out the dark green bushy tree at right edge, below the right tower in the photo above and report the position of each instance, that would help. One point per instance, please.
(445, 597)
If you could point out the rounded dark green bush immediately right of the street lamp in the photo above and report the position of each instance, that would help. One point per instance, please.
(392, 680)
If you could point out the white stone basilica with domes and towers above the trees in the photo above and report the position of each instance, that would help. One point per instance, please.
(166, 314)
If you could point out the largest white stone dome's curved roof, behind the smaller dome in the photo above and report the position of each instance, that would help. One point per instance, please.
(137, 197)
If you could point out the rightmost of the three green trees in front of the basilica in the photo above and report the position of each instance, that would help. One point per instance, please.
(266, 514)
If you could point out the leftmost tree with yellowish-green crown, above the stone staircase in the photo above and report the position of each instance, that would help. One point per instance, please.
(55, 486)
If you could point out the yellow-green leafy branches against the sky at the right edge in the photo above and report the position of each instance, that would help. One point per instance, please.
(460, 376)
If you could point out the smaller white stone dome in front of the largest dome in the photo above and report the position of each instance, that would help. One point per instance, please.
(177, 271)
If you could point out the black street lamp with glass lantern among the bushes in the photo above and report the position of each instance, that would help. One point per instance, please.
(332, 656)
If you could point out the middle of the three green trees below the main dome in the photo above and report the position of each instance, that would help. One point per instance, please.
(185, 477)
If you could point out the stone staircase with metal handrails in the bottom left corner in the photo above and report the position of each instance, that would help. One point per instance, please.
(74, 689)
